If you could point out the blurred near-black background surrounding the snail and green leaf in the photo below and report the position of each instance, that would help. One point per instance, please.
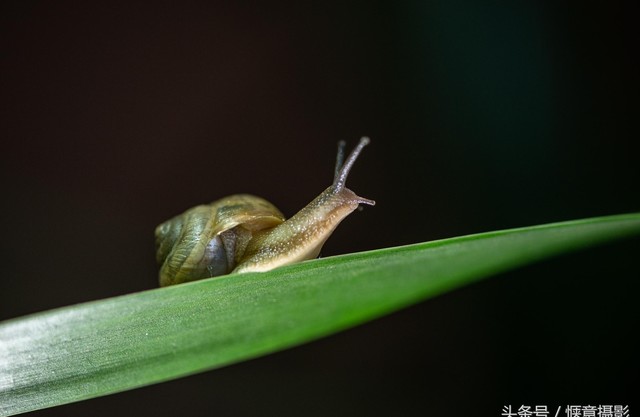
(483, 115)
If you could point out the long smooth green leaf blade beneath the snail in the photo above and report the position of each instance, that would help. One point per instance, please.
(97, 348)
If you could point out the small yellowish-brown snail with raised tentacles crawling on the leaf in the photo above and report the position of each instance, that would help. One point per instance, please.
(245, 233)
